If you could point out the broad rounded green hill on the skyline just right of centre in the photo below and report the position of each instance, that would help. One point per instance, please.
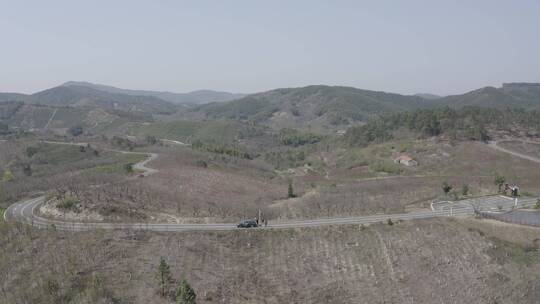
(317, 107)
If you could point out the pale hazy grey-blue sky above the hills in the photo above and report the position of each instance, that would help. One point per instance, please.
(407, 46)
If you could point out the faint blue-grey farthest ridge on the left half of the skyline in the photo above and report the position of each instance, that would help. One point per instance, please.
(195, 97)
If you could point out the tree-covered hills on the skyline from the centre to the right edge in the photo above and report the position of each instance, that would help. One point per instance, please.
(322, 107)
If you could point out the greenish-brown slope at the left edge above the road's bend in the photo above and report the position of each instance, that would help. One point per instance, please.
(28, 166)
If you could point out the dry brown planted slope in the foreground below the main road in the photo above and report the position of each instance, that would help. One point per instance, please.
(426, 261)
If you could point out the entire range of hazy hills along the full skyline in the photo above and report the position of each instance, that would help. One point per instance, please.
(316, 107)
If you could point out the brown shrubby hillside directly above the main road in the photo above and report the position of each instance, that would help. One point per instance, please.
(197, 186)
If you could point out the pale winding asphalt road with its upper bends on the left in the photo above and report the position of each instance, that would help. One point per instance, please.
(25, 212)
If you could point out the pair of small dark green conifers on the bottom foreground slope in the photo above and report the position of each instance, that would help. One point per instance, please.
(183, 294)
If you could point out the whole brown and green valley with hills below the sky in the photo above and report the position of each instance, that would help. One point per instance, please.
(361, 204)
